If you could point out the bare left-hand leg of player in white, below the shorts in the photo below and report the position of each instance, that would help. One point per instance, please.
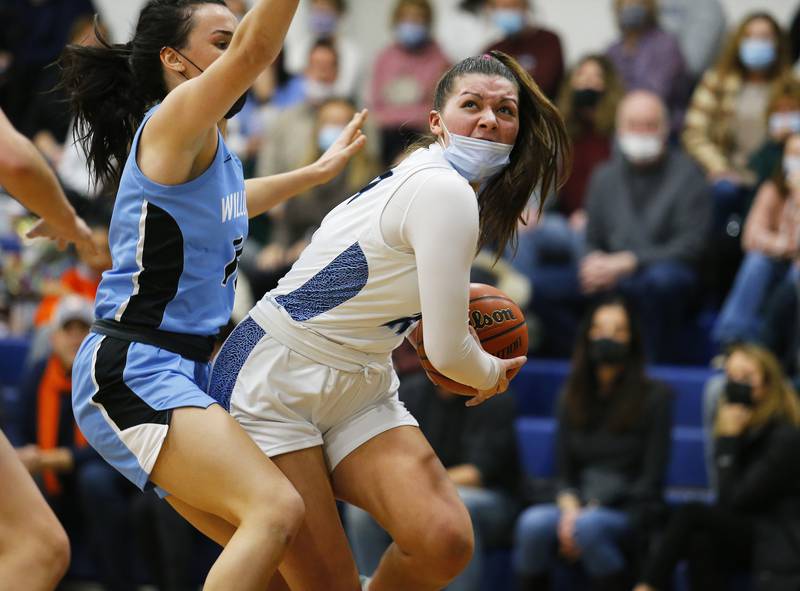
(319, 557)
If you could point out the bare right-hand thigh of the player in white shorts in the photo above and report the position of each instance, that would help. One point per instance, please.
(397, 478)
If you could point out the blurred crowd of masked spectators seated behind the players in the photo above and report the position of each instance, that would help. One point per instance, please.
(684, 199)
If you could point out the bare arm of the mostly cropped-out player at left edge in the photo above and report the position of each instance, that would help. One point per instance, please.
(27, 177)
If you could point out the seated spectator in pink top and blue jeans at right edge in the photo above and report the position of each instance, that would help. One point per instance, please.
(771, 240)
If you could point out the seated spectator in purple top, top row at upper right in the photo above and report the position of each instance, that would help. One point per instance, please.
(649, 58)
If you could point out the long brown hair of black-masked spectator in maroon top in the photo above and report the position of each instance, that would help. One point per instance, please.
(605, 113)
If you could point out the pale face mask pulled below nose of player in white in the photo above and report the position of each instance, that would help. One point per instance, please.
(476, 160)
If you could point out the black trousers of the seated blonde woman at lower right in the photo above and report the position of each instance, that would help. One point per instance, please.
(714, 540)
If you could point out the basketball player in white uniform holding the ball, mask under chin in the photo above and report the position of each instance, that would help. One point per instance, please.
(308, 374)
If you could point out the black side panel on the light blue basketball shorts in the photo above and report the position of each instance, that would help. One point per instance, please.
(121, 404)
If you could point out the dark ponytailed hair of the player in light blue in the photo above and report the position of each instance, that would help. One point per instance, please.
(111, 86)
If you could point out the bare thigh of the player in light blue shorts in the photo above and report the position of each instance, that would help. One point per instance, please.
(210, 463)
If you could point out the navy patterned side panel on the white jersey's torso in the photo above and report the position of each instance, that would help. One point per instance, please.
(341, 279)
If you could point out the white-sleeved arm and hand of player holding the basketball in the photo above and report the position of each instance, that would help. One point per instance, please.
(441, 226)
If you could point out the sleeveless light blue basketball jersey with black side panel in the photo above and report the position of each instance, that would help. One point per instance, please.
(175, 248)
